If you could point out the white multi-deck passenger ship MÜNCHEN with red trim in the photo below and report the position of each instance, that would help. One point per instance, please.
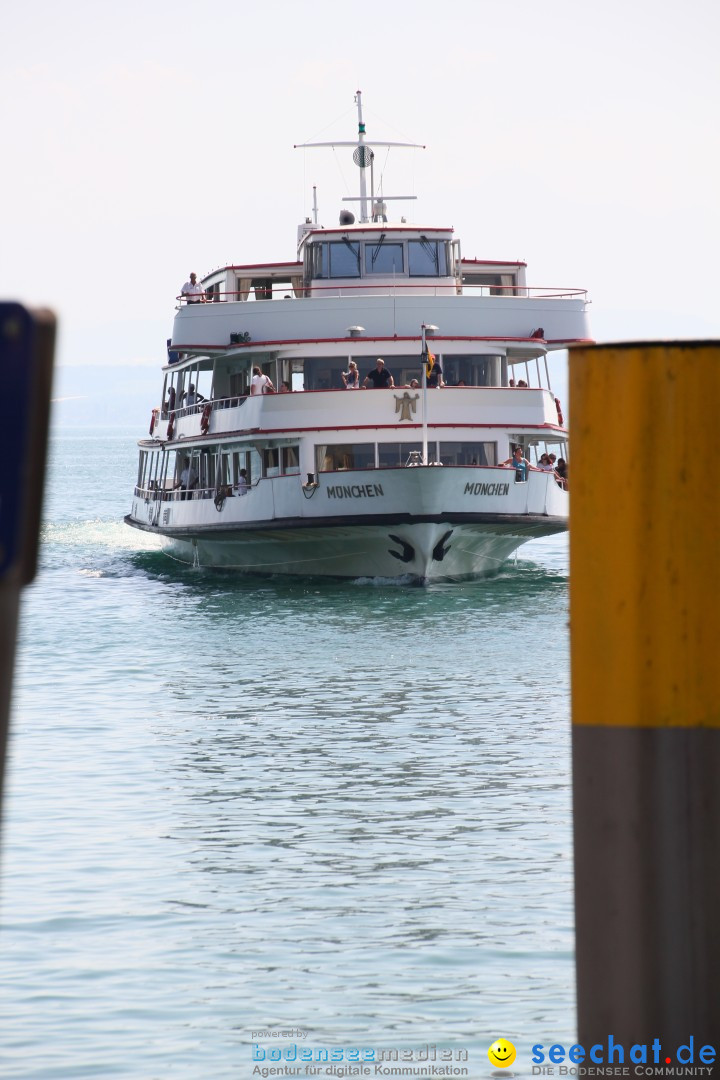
(404, 482)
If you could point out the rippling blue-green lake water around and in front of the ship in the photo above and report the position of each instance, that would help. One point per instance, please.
(241, 806)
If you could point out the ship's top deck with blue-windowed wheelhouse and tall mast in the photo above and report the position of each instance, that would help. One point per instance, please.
(374, 283)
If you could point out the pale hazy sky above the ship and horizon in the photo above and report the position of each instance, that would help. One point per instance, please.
(146, 140)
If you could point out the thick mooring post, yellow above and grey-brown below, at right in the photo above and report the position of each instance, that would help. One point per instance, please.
(645, 606)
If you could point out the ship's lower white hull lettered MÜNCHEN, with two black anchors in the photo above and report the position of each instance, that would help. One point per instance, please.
(425, 525)
